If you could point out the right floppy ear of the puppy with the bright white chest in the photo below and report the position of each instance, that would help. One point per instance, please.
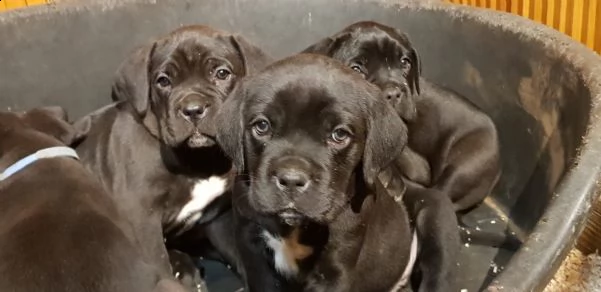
(253, 57)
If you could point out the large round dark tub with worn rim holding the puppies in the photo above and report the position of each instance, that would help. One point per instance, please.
(540, 88)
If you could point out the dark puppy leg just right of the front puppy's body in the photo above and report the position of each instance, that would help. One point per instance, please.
(438, 236)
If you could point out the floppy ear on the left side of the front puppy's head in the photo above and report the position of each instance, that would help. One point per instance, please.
(230, 127)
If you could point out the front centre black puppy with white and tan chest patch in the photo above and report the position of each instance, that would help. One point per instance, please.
(310, 138)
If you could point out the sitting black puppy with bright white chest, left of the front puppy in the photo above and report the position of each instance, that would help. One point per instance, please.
(155, 146)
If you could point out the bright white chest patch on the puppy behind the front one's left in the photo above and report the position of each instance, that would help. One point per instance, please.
(203, 193)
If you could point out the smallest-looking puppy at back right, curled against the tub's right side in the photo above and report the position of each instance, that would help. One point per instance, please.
(448, 137)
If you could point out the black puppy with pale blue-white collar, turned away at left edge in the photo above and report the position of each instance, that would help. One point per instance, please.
(59, 229)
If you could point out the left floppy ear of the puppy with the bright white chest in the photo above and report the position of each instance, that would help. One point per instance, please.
(131, 80)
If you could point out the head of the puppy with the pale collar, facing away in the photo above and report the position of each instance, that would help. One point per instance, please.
(24, 133)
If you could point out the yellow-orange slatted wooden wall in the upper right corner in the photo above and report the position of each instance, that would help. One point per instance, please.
(580, 19)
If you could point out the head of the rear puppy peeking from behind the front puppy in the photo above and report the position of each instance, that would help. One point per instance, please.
(381, 54)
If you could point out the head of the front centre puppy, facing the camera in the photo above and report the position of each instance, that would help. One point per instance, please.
(303, 131)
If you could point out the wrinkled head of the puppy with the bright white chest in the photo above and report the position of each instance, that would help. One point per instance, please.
(177, 84)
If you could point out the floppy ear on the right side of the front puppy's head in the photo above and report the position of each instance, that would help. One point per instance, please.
(386, 138)
